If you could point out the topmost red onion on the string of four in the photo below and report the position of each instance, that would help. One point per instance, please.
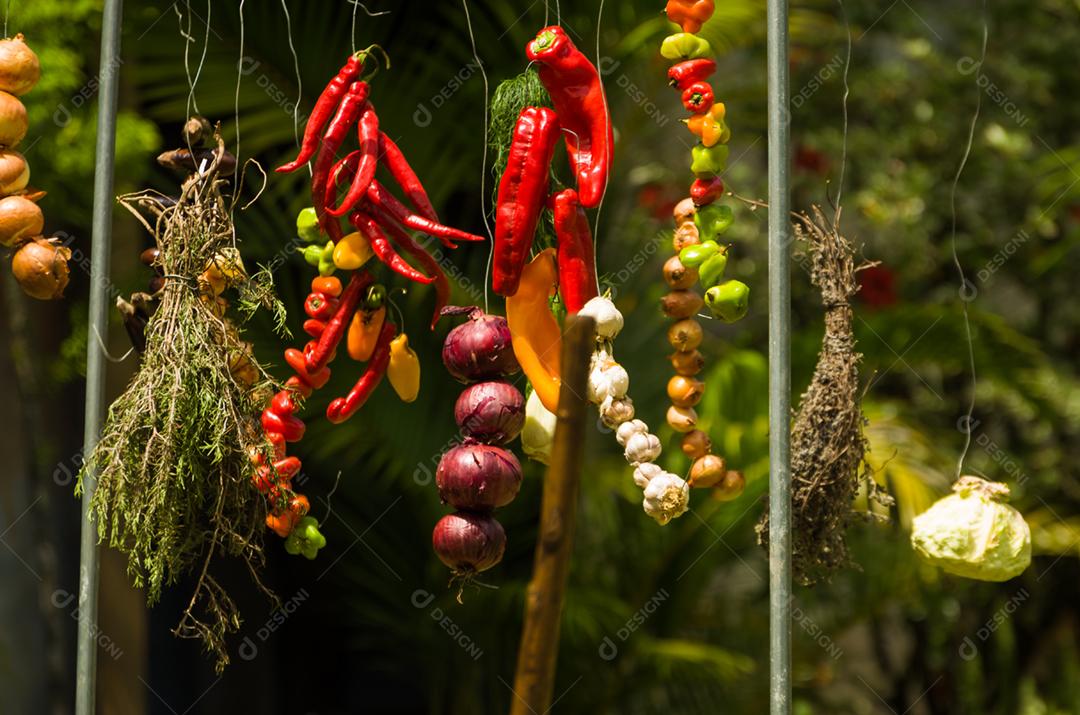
(479, 349)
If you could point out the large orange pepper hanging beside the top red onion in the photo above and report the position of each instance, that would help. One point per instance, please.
(534, 331)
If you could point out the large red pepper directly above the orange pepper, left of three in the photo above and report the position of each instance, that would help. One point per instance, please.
(522, 193)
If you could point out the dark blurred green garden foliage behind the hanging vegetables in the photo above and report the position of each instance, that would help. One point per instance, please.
(371, 626)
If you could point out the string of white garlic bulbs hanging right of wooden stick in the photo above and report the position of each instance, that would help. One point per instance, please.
(665, 496)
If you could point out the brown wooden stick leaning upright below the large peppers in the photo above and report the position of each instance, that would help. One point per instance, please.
(535, 679)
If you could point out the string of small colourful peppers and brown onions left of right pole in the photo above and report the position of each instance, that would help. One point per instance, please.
(699, 257)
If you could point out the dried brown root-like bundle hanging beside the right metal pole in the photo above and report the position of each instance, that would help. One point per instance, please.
(828, 444)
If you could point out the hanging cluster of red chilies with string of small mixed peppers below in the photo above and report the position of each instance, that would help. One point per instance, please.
(355, 313)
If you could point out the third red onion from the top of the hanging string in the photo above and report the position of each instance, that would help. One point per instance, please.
(478, 477)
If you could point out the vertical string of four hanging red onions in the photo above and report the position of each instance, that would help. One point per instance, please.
(479, 475)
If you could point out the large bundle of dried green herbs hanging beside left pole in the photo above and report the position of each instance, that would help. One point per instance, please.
(174, 478)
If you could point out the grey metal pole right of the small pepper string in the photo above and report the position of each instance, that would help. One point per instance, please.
(780, 369)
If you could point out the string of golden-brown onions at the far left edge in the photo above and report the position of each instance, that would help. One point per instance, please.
(39, 264)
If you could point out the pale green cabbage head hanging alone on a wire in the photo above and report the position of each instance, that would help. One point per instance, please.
(974, 533)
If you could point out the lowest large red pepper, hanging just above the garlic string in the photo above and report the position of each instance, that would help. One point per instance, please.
(577, 265)
